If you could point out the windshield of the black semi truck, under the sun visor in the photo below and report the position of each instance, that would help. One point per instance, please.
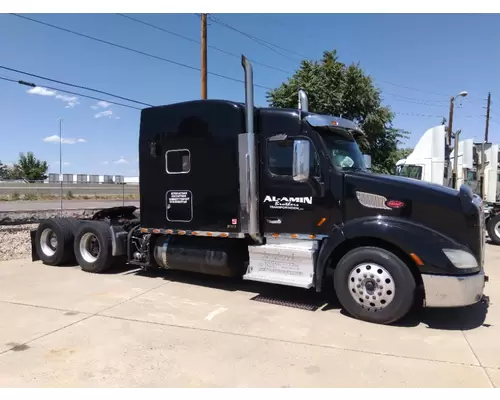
(343, 151)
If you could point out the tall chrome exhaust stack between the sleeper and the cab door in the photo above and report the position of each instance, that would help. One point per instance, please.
(249, 190)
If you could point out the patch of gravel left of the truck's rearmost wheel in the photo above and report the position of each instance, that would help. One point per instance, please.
(15, 241)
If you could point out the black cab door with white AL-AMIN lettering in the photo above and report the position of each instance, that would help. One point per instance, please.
(287, 206)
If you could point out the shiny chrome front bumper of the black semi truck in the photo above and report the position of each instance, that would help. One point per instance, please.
(453, 291)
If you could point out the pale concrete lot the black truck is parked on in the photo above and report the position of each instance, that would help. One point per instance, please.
(61, 327)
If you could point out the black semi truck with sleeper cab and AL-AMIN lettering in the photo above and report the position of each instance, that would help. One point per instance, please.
(281, 196)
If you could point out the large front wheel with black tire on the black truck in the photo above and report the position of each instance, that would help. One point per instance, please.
(391, 292)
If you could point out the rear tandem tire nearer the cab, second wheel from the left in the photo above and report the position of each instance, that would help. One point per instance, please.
(92, 246)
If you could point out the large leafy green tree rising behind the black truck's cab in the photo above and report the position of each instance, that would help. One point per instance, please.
(336, 89)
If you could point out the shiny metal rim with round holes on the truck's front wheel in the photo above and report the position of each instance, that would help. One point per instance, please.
(371, 286)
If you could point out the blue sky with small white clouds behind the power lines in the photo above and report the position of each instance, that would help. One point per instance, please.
(418, 61)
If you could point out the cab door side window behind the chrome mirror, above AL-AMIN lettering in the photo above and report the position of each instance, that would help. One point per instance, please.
(280, 159)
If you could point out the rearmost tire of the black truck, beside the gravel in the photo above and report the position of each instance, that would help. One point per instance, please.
(54, 241)
